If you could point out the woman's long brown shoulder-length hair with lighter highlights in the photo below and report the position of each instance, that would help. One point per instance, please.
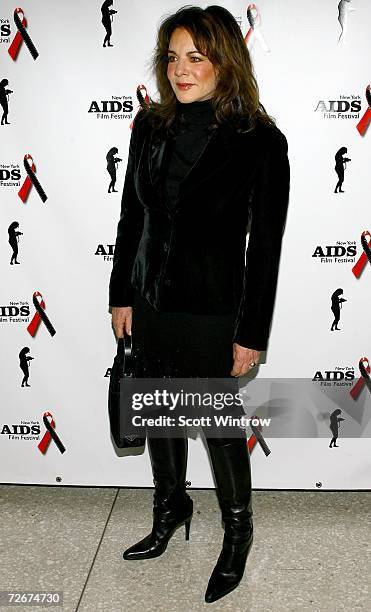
(217, 35)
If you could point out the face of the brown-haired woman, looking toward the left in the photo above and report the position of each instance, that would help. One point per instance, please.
(191, 74)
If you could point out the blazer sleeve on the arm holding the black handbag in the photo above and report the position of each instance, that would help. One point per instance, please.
(129, 231)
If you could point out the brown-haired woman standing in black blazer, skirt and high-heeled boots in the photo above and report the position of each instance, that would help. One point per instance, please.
(203, 162)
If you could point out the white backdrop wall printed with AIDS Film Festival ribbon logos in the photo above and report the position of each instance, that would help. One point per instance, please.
(60, 254)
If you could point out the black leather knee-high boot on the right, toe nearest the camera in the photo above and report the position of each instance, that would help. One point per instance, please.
(231, 465)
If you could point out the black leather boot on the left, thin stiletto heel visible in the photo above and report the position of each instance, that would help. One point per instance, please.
(172, 506)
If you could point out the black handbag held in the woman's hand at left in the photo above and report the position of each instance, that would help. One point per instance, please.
(123, 366)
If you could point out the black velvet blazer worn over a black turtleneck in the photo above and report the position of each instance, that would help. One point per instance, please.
(192, 257)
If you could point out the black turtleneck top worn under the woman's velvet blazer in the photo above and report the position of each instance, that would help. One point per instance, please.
(191, 138)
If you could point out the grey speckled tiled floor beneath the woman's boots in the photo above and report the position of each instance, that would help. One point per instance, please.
(311, 551)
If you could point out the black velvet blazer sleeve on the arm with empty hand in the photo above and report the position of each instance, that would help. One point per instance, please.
(268, 217)
